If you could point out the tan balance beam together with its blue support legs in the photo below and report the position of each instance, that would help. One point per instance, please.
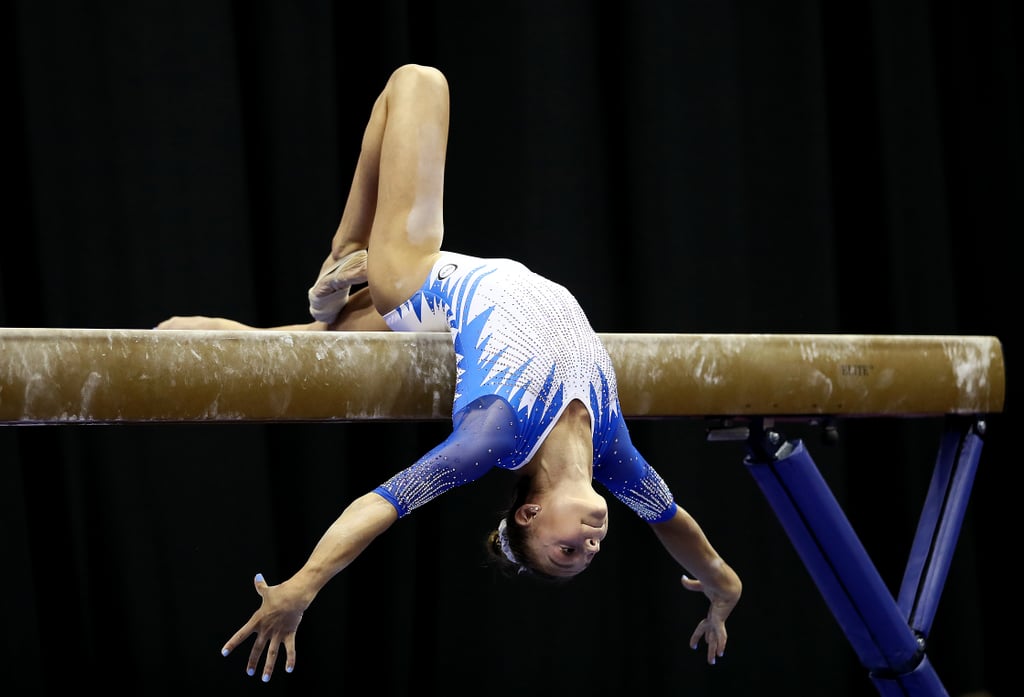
(69, 376)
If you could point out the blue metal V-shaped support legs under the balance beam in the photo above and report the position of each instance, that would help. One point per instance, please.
(888, 637)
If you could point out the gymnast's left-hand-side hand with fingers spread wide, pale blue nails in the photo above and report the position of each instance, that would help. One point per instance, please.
(274, 624)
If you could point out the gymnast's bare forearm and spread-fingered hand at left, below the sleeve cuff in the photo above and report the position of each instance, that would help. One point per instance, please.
(281, 609)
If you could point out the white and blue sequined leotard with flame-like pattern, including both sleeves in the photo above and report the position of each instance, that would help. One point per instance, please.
(524, 351)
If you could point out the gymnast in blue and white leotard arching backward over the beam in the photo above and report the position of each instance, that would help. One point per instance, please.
(536, 390)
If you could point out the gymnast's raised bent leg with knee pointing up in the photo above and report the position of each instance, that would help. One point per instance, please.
(395, 206)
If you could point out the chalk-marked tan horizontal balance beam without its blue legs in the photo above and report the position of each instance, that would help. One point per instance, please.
(90, 376)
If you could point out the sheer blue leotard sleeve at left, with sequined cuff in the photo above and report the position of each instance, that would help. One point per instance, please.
(485, 434)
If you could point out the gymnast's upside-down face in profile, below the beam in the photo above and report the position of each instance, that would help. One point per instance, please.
(566, 533)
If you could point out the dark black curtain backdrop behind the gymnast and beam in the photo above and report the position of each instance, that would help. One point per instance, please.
(694, 167)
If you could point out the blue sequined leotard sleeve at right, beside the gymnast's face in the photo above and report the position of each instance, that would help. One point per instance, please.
(622, 469)
